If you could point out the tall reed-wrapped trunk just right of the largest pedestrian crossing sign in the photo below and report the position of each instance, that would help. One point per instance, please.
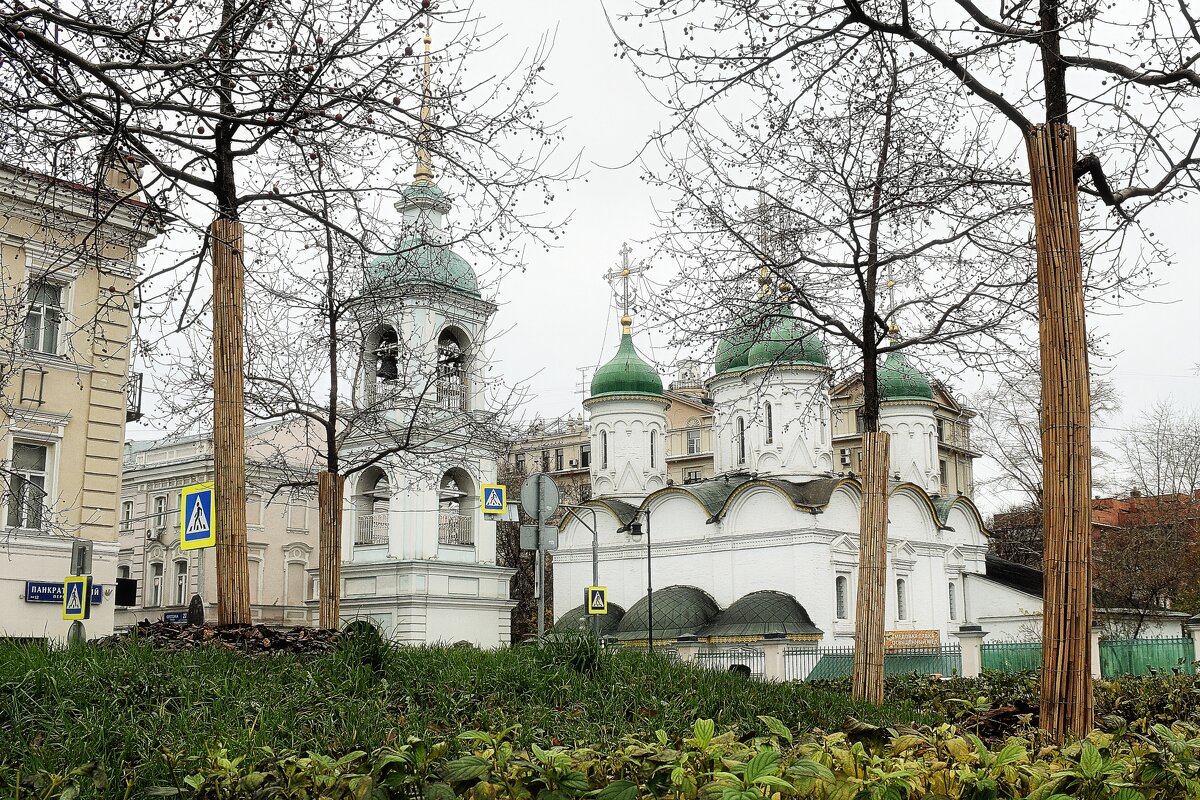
(229, 425)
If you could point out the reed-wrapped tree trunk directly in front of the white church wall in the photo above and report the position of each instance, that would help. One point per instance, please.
(873, 569)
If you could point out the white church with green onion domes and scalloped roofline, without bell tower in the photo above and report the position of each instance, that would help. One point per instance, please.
(769, 548)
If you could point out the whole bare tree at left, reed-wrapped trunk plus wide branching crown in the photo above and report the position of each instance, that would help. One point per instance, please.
(224, 101)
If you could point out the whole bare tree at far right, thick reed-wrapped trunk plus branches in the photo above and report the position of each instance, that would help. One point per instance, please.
(1135, 95)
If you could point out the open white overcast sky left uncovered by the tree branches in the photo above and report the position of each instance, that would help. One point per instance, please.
(559, 315)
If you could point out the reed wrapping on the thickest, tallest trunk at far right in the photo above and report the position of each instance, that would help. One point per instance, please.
(1066, 436)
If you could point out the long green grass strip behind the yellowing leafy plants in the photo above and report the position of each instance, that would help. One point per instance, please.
(143, 713)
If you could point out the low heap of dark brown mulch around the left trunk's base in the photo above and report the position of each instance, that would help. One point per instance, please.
(248, 639)
